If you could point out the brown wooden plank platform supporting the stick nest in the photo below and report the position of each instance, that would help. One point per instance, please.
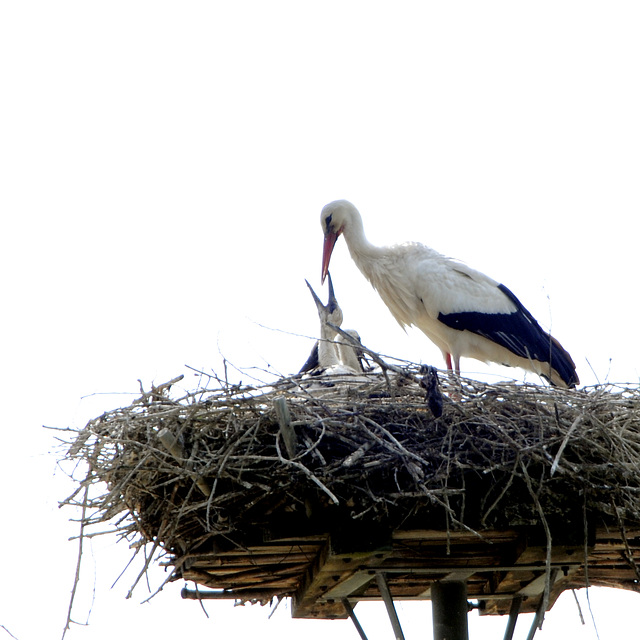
(319, 572)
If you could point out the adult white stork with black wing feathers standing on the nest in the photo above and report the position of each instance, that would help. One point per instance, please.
(465, 313)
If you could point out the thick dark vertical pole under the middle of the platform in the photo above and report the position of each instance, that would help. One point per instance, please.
(450, 608)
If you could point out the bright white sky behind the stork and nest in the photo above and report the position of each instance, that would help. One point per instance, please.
(163, 168)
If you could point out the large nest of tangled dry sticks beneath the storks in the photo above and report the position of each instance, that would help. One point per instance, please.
(224, 467)
